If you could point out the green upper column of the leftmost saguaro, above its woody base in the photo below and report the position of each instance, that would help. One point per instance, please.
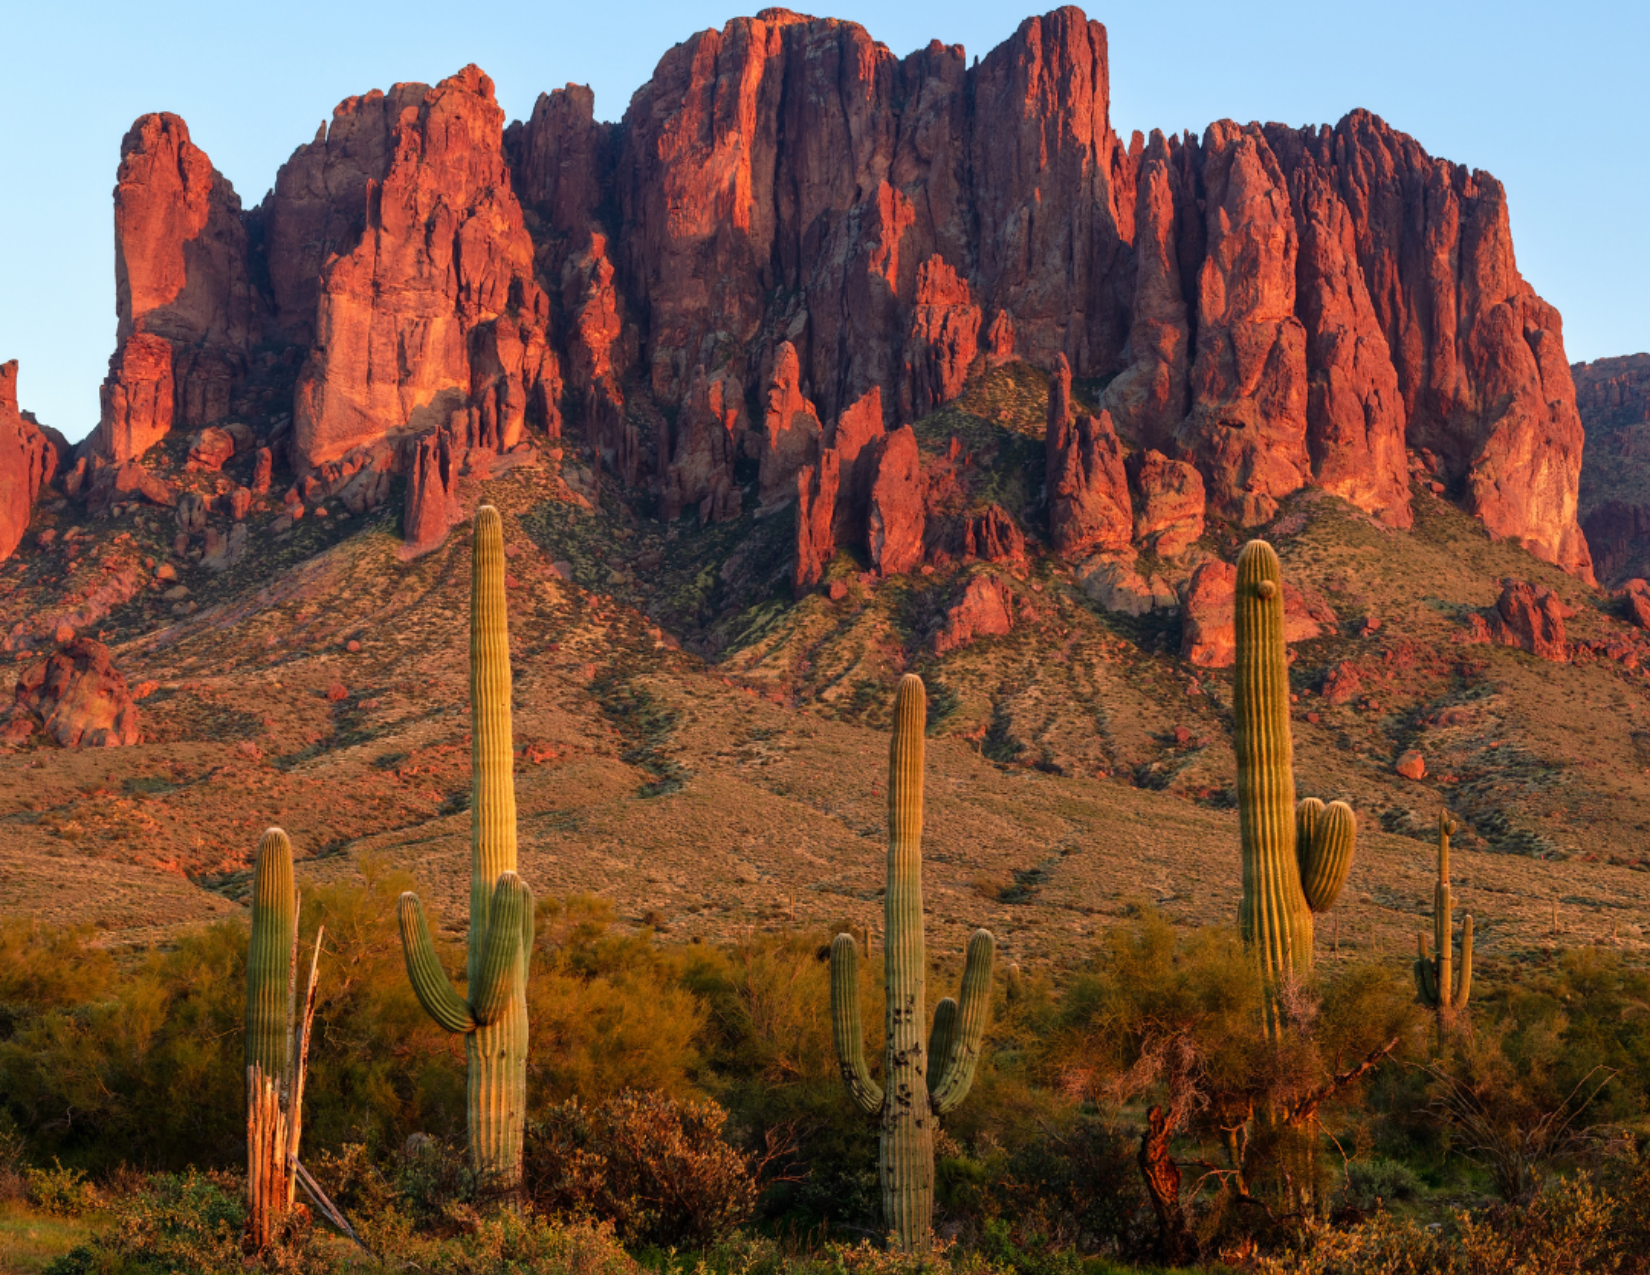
(270, 959)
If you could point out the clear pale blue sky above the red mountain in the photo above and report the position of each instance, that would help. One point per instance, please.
(1553, 100)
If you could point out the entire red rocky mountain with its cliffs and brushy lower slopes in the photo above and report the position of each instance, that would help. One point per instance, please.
(819, 365)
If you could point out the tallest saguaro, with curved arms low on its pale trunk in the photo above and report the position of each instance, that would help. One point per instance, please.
(493, 1014)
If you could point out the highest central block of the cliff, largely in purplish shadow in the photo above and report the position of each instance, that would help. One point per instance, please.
(796, 159)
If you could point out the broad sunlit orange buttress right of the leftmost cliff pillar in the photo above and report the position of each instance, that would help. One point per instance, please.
(435, 311)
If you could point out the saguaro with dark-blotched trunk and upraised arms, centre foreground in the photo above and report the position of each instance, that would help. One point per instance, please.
(918, 1084)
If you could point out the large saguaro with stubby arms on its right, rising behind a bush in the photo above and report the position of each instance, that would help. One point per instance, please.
(1296, 859)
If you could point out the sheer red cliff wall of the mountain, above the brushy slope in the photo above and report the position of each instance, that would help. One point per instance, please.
(793, 225)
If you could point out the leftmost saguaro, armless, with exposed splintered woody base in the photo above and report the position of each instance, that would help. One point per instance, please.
(276, 1040)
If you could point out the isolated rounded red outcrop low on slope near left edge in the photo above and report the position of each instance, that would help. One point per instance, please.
(77, 697)
